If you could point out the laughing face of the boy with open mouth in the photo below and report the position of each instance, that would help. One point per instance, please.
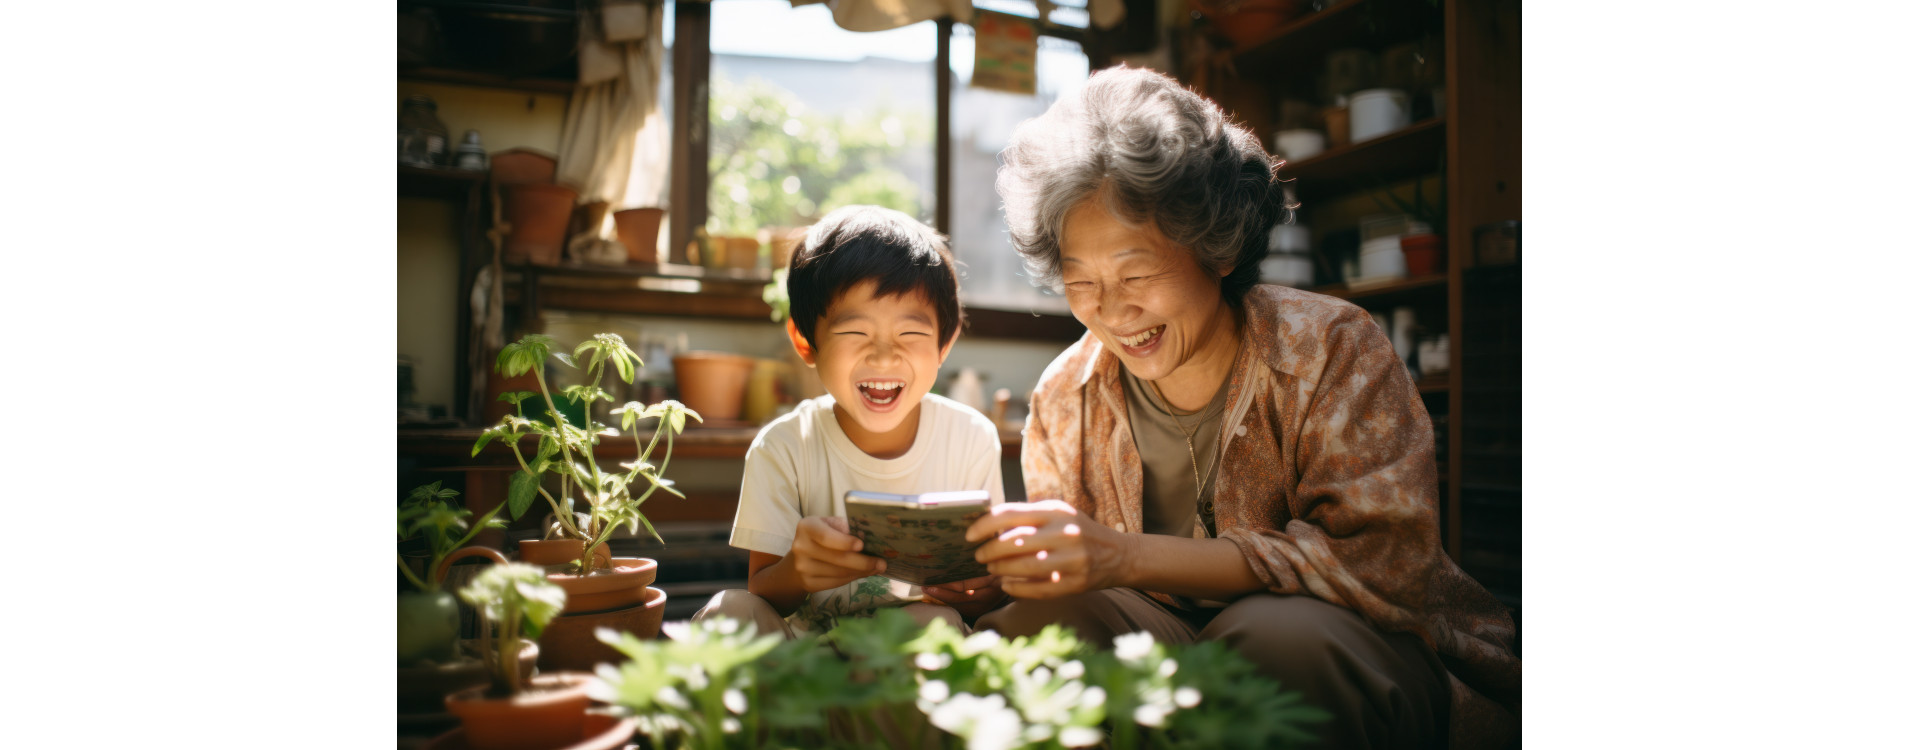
(878, 358)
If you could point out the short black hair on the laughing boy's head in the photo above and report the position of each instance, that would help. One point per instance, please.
(871, 243)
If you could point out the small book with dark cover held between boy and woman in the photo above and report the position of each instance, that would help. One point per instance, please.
(921, 536)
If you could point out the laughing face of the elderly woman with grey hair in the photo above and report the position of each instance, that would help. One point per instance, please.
(1138, 293)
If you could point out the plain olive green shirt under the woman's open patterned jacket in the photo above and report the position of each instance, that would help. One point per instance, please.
(1168, 504)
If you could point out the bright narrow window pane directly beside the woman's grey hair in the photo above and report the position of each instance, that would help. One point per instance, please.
(984, 122)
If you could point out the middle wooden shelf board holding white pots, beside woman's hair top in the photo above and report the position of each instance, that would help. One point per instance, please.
(1372, 164)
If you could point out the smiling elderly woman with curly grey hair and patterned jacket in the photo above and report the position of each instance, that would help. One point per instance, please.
(1218, 459)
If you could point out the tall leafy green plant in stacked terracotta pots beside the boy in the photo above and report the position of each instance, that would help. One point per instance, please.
(604, 592)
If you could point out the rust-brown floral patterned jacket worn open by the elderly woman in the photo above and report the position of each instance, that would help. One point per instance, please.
(1328, 484)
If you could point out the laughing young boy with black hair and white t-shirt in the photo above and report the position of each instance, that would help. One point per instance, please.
(875, 310)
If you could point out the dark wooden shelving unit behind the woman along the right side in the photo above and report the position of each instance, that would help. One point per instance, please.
(1474, 147)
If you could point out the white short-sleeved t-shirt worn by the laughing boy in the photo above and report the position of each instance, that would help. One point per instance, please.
(804, 465)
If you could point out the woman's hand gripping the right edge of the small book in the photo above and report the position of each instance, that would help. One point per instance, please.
(1049, 550)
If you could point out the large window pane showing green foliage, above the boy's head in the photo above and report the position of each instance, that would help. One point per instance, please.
(809, 118)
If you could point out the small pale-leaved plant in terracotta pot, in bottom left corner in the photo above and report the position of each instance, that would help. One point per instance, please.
(514, 713)
